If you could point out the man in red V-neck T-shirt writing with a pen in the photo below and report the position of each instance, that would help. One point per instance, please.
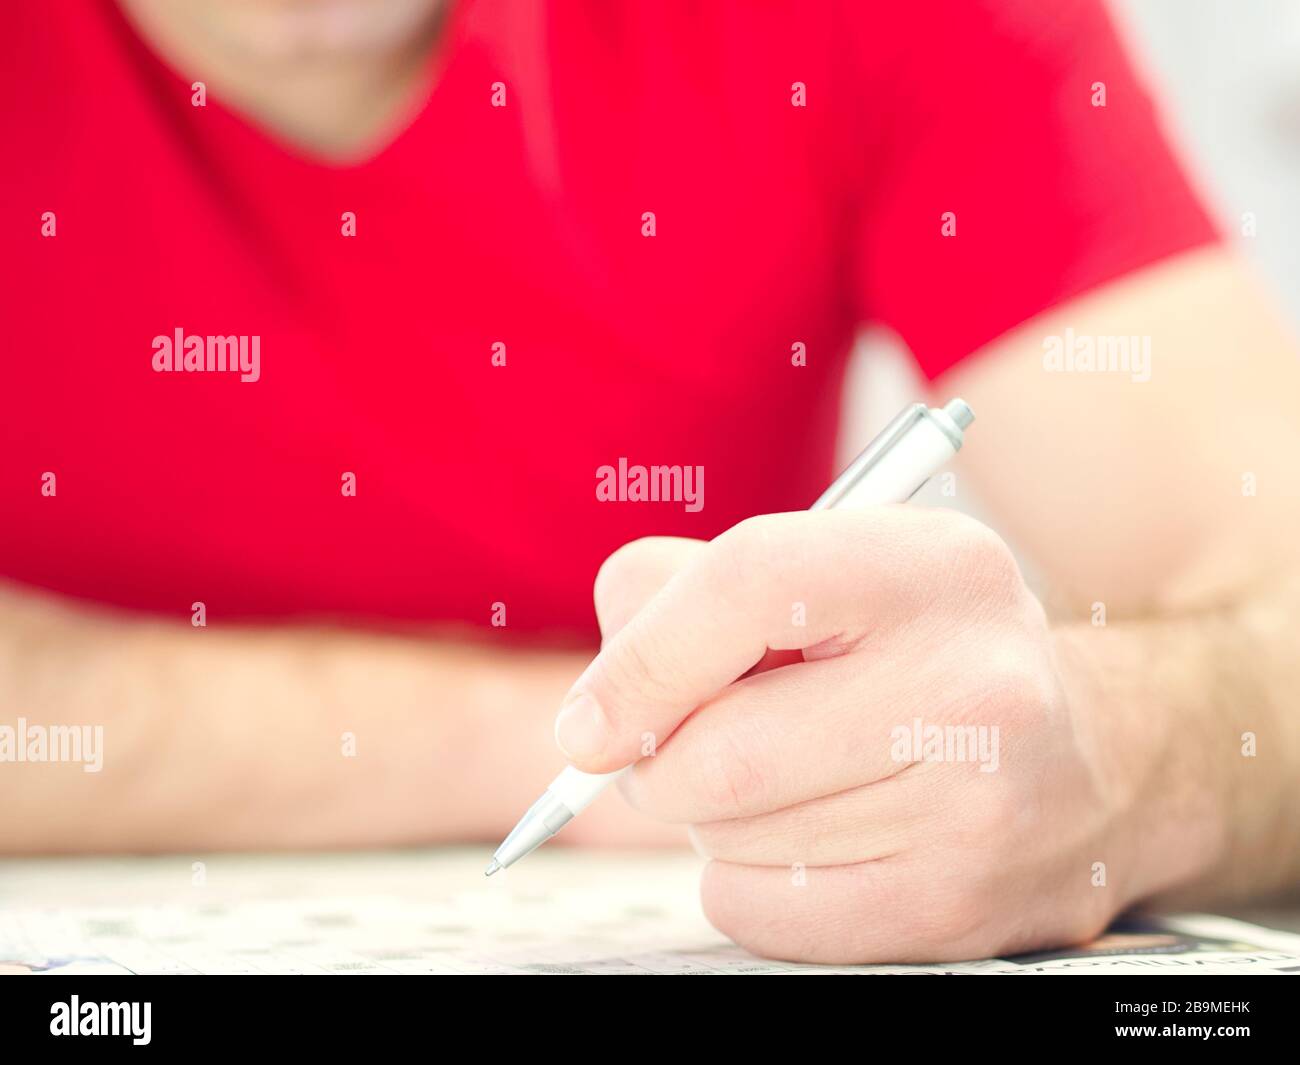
(460, 261)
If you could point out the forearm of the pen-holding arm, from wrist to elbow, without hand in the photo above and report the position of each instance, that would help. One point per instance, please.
(1198, 728)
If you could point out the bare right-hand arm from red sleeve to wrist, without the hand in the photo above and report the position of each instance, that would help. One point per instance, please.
(1164, 516)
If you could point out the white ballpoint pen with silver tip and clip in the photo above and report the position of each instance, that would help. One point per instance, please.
(891, 470)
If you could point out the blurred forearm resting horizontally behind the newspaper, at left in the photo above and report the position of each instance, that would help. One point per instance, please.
(233, 738)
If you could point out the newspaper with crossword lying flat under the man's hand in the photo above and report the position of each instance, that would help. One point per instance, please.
(561, 912)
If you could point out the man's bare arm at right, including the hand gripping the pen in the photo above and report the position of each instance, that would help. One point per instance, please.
(944, 770)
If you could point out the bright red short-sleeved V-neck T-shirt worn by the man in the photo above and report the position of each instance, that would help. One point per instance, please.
(775, 226)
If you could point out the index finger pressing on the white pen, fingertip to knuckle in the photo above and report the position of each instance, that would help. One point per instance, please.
(785, 582)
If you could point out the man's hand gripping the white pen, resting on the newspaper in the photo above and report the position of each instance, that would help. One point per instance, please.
(864, 720)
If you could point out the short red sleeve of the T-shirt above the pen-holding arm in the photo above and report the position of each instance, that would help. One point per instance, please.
(1016, 162)
